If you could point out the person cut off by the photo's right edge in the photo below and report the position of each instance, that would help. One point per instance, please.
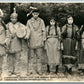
(81, 53)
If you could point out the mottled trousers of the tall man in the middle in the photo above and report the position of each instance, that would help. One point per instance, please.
(35, 60)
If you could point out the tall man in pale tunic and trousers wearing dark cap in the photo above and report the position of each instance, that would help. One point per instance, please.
(36, 43)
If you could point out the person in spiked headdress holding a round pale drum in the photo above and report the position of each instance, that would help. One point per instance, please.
(15, 32)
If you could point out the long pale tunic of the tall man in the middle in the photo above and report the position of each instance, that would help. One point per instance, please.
(37, 32)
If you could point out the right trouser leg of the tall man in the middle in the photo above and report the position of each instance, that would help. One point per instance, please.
(39, 54)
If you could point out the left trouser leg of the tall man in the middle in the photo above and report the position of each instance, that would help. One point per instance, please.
(32, 61)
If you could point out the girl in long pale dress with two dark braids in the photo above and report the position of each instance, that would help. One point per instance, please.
(52, 46)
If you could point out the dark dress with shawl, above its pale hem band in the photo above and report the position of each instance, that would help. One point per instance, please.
(69, 41)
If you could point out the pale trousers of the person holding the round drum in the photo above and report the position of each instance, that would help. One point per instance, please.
(13, 60)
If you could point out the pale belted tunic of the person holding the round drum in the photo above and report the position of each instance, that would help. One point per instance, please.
(14, 42)
